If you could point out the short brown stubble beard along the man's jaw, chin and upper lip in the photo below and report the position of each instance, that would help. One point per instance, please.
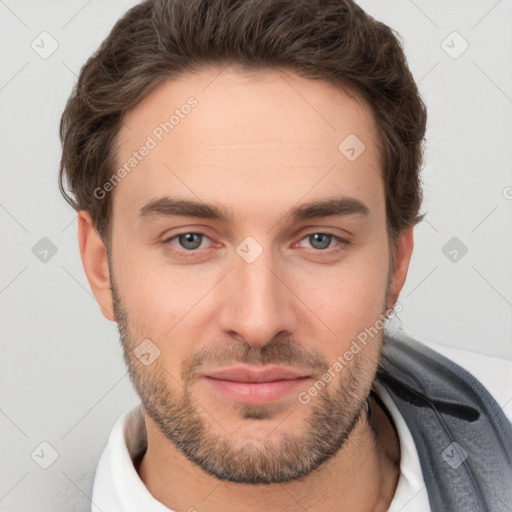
(332, 417)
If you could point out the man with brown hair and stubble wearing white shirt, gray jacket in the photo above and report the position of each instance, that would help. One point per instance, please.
(247, 180)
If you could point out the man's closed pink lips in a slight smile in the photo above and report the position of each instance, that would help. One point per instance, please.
(255, 385)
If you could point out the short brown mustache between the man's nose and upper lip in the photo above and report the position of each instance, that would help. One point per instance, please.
(283, 351)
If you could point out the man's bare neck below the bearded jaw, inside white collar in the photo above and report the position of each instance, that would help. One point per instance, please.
(361, 476)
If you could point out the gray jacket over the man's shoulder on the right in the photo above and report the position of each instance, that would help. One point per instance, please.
(463, 438)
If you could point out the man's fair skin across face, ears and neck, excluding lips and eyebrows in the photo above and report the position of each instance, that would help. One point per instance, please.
(257, 144)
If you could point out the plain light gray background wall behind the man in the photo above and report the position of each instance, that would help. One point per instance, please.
(62, 376)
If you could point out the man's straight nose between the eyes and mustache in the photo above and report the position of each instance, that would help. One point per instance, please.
(257, 302)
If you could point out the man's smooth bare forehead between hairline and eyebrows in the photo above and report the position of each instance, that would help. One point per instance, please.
(247, 138)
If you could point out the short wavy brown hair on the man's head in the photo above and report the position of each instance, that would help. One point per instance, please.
(334, 41)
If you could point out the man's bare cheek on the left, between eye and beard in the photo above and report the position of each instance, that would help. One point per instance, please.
(163, 303)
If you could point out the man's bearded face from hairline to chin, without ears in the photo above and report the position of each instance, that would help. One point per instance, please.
(261, 295)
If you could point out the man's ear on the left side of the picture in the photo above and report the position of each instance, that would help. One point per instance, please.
(94, 260)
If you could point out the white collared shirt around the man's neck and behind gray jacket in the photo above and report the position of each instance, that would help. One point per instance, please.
(118, 487)
